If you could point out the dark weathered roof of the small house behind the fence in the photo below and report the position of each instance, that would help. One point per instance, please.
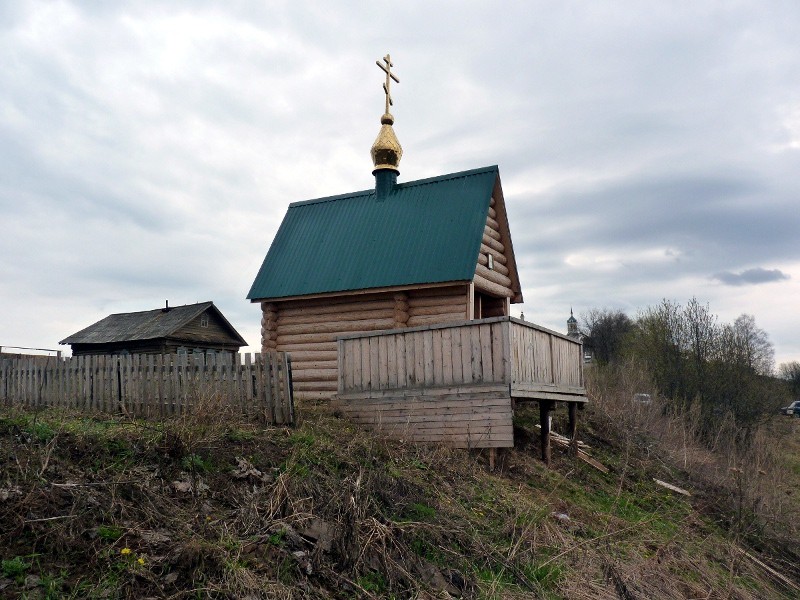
(144, 325)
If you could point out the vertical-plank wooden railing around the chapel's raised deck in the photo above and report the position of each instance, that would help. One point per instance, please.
(534, 361)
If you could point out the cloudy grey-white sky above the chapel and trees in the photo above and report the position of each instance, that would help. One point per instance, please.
(148, 150)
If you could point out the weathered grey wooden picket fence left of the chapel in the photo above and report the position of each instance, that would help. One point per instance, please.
(150, 385)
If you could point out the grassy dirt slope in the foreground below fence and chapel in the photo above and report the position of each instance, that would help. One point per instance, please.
(215, 507)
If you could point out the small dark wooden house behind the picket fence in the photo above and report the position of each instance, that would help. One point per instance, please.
(197, 327)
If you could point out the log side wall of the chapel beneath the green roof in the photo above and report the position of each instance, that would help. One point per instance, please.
(308, 328)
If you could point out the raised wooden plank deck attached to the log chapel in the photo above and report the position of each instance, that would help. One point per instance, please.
(455, 383)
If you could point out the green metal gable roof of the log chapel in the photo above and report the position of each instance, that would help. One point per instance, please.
(425, 231)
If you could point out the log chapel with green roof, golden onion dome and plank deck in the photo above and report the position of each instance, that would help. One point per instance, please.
(396, 300)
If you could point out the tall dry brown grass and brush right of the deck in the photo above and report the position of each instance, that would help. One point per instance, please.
(739, 478)
